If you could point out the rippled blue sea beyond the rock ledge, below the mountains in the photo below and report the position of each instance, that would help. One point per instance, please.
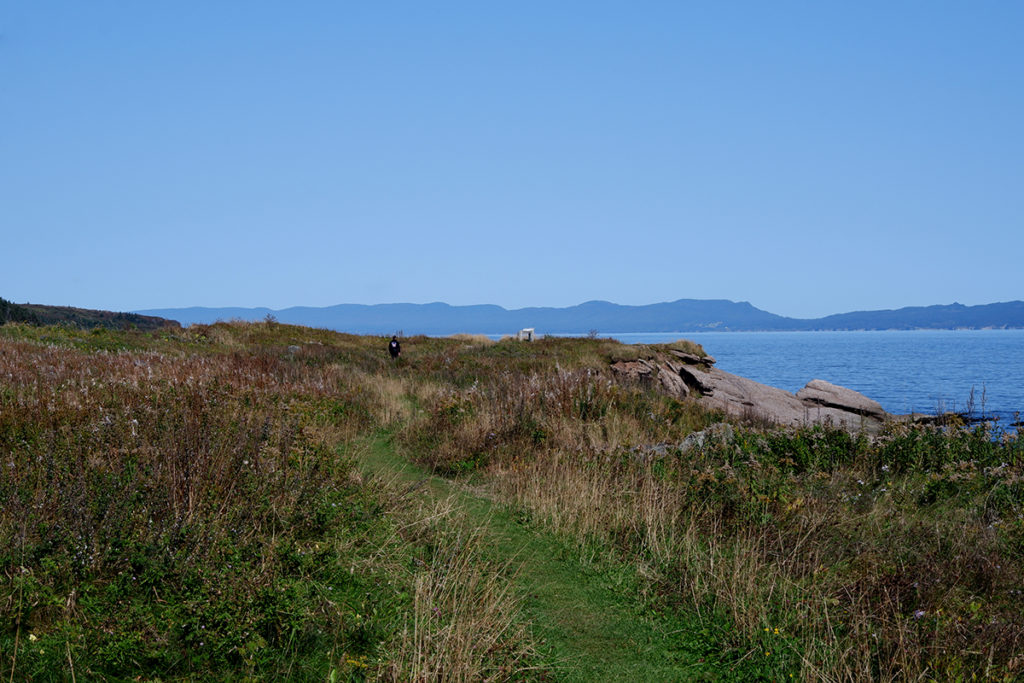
(919, 371)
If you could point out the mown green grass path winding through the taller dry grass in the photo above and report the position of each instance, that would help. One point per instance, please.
(587, 619)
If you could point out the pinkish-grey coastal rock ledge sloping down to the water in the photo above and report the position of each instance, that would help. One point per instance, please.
(687, 375)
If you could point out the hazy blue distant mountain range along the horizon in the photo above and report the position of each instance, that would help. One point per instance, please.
(606, 318)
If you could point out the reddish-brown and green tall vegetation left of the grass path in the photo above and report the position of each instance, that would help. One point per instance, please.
(187, 509)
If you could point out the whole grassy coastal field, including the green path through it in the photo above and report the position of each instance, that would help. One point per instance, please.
(266, 502)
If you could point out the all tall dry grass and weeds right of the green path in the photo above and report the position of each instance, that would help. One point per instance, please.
(840, 558)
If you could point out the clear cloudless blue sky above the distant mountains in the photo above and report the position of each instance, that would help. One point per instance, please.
(807, 157)
